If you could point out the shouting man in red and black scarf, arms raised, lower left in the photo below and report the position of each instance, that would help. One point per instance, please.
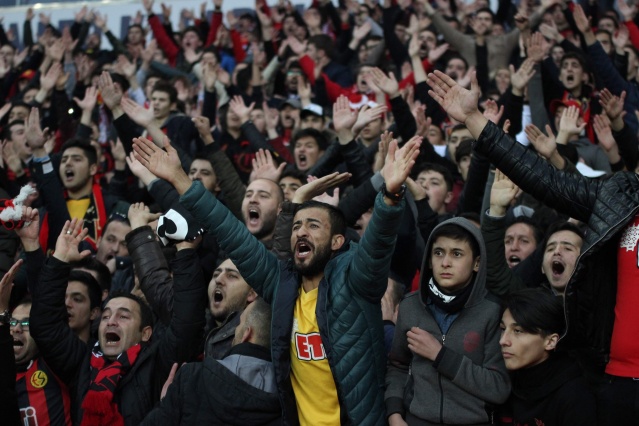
(118, 380)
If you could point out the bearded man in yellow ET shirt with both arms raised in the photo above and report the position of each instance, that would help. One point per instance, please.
(328, 331)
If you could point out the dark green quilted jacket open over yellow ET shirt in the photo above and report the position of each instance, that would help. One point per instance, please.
(348, 305)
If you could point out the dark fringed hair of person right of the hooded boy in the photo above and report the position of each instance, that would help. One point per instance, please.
(537, 311)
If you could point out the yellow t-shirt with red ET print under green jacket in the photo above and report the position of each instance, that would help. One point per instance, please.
(313, 383)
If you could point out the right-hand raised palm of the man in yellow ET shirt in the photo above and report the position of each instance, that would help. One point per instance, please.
(399, 163)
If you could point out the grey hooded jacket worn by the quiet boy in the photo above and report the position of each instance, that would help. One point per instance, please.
(468, 376)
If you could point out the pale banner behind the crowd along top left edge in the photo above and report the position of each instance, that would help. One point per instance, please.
(119, 14)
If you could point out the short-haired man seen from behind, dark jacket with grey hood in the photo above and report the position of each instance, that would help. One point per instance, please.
(249, 395)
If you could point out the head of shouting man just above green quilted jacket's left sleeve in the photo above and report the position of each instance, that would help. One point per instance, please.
(260, 207)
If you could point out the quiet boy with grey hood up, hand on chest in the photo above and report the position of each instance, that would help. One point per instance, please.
(445, 363)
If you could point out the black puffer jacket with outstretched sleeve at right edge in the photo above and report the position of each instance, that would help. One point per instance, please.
(605, 205)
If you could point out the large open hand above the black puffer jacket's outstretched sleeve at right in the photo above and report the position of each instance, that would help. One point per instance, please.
(458, 102)
